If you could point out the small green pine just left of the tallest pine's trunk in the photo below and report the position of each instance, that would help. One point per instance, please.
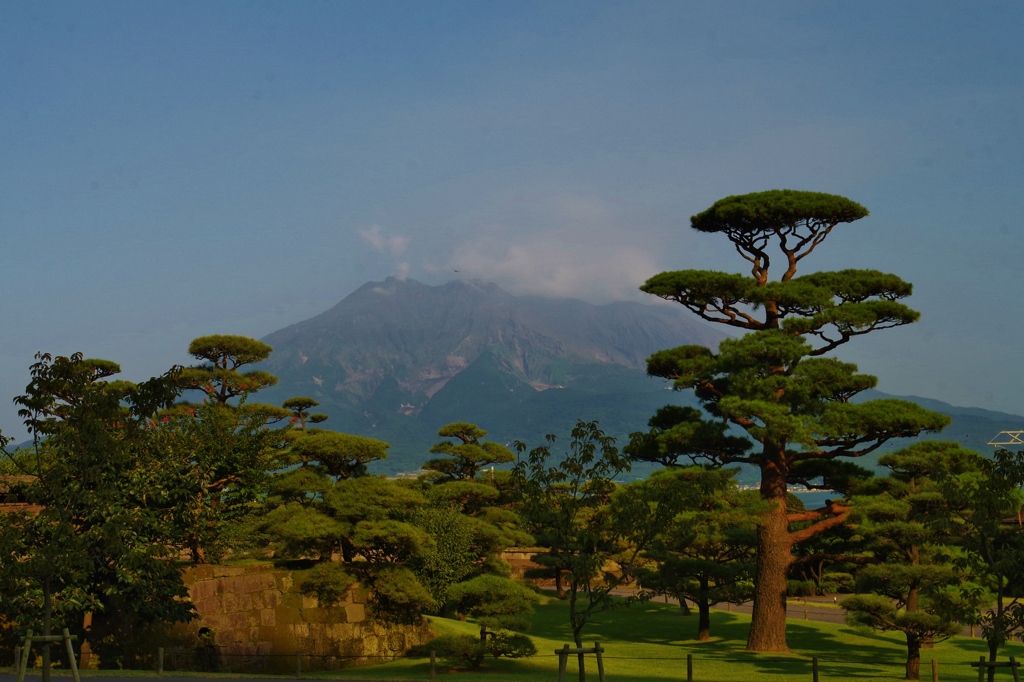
(706, 553)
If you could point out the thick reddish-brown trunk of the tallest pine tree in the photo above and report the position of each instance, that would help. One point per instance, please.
(774, 560)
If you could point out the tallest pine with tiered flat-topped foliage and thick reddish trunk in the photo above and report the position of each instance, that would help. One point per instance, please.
(777, 383)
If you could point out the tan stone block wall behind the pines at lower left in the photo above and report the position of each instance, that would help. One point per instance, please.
(258, 621)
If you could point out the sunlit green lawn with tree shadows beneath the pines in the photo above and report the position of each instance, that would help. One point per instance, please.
(651, 643)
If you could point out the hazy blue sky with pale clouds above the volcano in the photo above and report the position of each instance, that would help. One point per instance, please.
(169, 170)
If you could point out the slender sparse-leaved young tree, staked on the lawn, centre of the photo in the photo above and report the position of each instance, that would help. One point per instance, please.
(568, 509)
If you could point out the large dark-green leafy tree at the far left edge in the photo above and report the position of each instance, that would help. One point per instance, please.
(99, 532)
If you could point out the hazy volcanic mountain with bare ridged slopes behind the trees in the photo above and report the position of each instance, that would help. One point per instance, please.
(397, 360)
